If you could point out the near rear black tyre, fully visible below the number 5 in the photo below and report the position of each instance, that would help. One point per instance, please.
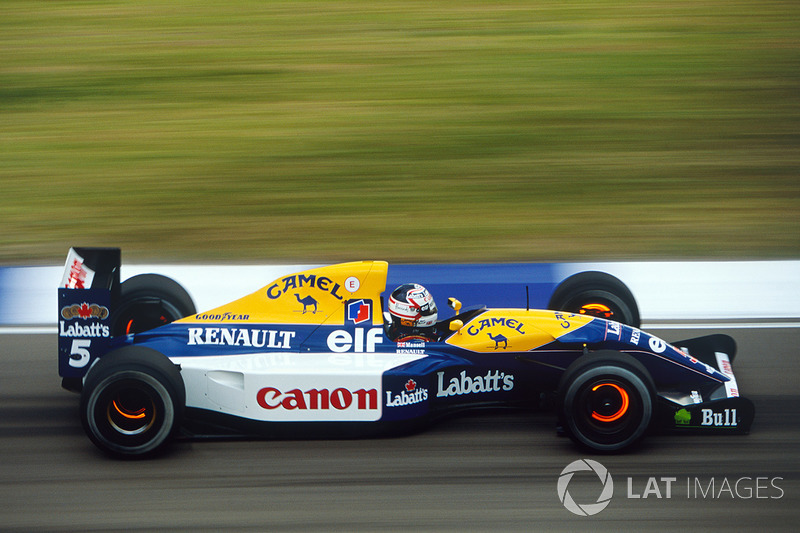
(132, 402)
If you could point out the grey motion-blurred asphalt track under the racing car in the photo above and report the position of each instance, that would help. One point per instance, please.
(488, 471)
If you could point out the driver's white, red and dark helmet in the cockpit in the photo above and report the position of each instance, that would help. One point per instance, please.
(412, 311)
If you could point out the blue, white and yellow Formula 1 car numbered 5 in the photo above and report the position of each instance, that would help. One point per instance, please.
(309, 356)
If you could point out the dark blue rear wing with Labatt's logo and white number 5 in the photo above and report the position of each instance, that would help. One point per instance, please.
(87, 293)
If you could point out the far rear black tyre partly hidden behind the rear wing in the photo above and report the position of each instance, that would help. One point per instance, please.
(147, 301)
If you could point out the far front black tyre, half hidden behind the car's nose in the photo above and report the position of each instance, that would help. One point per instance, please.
(596, 294)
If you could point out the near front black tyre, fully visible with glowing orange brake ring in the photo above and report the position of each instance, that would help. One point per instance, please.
(606, 401)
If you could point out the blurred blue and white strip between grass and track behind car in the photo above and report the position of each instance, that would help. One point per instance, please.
(664, 290)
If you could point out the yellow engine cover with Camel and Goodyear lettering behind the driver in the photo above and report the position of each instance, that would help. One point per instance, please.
(311, 297)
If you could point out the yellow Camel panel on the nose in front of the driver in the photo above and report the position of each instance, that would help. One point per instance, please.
(515, 330)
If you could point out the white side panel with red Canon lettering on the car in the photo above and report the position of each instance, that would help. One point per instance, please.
(290, 387)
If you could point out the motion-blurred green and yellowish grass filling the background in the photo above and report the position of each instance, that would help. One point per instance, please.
(400, 130)
